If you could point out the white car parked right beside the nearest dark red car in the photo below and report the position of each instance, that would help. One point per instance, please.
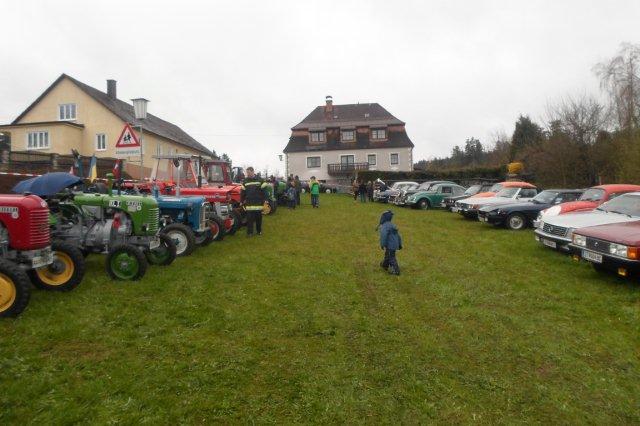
(556, 232)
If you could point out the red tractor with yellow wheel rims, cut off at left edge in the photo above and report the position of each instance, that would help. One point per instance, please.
(28, 255)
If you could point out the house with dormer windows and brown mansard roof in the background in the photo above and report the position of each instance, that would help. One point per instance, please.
(336, 141)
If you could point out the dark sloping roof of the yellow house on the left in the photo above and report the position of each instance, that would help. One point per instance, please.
(125, 112)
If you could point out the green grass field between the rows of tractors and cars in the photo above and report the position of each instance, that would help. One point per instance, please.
(301, 325)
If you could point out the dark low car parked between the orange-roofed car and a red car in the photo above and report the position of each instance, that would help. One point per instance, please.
(521, 215)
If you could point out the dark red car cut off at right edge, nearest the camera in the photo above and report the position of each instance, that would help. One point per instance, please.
(613, 247)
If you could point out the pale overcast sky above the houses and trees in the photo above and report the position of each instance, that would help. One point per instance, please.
(237, 75)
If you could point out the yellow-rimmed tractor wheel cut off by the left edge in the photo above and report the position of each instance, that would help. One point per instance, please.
(14, 289)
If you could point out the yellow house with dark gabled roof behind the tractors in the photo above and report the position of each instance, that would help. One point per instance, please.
(72, 115)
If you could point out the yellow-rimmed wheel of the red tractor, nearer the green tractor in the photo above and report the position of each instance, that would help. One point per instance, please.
(66, 271)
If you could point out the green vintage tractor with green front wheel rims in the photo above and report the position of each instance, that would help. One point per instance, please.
(124, 227)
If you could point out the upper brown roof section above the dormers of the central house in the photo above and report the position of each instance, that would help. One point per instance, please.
(348, 115)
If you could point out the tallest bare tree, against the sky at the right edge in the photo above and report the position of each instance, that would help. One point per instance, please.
(620, 77)
